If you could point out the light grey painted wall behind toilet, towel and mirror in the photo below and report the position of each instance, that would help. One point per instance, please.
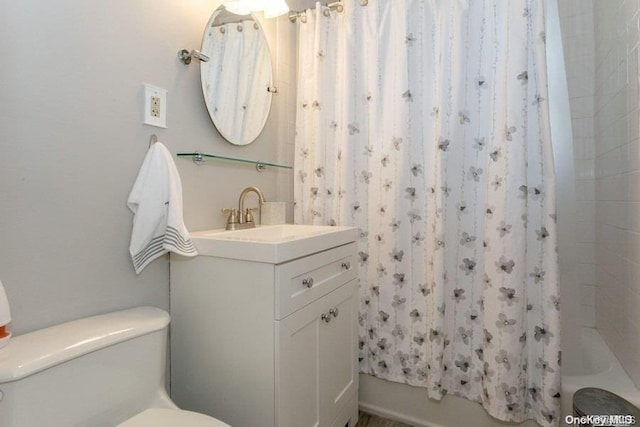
(72, 140)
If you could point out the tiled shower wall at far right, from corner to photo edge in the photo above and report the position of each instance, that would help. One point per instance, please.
(617, 191)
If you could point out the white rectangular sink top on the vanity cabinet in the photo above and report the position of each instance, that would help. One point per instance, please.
(273, 244)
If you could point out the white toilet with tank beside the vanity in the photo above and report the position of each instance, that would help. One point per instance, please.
(101, 371)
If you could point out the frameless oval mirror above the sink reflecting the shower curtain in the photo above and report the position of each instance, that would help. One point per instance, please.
(237, 78)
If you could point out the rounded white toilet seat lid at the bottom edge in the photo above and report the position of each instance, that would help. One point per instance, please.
(163, 417)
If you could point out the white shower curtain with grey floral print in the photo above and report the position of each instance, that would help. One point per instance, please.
(425, 124)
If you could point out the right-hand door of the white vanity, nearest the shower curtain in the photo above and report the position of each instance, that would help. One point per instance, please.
(338, 355)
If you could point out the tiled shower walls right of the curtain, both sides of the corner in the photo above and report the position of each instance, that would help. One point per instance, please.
(600, 40)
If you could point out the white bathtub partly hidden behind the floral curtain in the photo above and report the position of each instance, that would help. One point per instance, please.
(404, 403)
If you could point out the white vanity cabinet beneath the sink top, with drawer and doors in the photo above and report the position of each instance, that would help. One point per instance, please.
(259, 344)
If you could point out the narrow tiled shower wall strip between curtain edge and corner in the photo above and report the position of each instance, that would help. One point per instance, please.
(576, 18)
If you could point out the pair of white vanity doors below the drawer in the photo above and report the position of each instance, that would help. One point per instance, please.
(315, 362)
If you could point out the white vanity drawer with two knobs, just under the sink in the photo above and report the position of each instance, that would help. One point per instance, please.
(304, 280)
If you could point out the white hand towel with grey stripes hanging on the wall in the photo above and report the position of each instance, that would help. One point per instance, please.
(156, 202)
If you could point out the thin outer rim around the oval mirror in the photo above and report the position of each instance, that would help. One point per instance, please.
(210, 108)
